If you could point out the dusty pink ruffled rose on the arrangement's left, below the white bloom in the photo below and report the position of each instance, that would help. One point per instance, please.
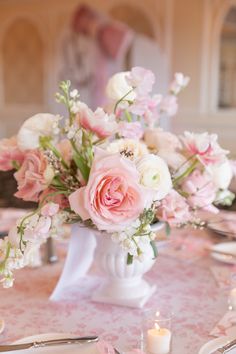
(33, 177)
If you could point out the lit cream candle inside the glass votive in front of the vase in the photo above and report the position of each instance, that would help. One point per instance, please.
(158, 340)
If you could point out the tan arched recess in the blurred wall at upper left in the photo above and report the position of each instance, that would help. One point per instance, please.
(22, 55)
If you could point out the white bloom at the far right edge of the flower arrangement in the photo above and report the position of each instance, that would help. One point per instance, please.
(221, 174)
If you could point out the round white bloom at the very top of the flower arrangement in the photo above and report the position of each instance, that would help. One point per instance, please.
(117, 87)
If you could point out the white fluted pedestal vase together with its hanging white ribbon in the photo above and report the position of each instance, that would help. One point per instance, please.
(123, 283)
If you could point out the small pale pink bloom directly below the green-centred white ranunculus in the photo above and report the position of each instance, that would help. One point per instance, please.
(173, 209)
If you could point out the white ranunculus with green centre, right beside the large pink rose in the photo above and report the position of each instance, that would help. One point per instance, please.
(154, 174)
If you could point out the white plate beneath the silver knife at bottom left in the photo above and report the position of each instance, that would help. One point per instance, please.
(89, 348)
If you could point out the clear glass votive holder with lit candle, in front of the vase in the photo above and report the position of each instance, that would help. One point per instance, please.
(156, 332)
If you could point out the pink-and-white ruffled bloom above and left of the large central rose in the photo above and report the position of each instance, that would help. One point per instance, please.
(98, 122)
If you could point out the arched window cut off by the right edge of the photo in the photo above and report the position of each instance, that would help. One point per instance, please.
(227, 87)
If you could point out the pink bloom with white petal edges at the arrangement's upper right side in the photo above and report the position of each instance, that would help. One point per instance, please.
(205, 146)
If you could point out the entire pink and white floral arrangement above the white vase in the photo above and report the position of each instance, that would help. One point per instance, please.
(114, 170)
